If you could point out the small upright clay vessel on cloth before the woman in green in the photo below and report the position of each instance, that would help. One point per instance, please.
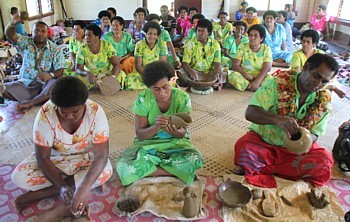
(191, 206)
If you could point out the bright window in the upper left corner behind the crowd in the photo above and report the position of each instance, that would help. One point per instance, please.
(39, 8)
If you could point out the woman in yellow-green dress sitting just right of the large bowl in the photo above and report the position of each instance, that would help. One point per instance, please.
(252, 62)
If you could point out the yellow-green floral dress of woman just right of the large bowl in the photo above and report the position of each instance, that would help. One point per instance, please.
(251, 62)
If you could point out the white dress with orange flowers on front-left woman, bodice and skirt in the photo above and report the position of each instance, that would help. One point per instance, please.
(70, 153)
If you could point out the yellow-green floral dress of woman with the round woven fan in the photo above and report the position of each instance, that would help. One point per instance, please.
(98, 63)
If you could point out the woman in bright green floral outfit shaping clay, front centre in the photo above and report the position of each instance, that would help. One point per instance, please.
(159, 149)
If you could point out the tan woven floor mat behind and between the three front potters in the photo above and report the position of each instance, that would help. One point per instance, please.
(218, 122)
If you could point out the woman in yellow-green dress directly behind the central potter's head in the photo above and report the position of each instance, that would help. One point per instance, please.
(147, 50)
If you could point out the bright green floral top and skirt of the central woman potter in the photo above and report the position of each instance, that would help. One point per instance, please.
(175, 155)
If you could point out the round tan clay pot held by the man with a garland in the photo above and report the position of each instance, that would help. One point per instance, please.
(299, 143)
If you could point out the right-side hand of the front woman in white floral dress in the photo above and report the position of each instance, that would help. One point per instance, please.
(79, 202)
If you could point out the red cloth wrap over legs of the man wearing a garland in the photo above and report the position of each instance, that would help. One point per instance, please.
(261, 161)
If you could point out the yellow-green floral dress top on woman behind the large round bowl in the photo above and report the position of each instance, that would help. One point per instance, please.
(202, 58)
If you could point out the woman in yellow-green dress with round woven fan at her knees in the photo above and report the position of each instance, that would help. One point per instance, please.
(97, 58)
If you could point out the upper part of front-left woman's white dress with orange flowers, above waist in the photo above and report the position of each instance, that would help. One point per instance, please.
(49, 133)
